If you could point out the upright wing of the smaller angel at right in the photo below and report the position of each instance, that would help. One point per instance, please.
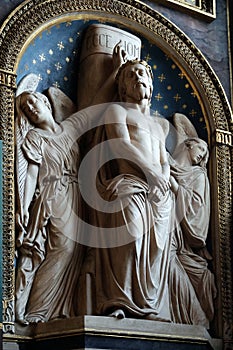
(184, 127)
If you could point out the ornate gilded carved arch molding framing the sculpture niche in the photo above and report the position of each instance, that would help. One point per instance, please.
(25, 23)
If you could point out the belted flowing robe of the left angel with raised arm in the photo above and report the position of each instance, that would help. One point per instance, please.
(51, 256)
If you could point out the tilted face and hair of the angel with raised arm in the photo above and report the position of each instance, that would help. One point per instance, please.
(34, 108)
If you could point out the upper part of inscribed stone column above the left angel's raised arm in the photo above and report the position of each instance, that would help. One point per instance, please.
(95, 65)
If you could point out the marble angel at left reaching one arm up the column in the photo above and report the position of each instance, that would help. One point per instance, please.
(48, 207)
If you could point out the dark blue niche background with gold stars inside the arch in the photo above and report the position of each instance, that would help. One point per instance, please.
(54, 56)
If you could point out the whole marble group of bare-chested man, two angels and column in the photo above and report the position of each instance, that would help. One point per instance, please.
(100, 195)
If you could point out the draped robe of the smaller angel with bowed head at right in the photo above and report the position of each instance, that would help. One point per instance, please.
(191, 283)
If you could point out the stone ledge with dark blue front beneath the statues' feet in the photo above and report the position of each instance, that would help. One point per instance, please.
(93, 332)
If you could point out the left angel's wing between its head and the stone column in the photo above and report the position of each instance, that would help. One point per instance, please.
(61, 104)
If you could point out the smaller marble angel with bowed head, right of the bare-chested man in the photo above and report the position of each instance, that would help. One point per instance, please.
(191, 283)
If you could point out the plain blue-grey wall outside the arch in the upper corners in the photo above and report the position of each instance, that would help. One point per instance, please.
(209, 37)
